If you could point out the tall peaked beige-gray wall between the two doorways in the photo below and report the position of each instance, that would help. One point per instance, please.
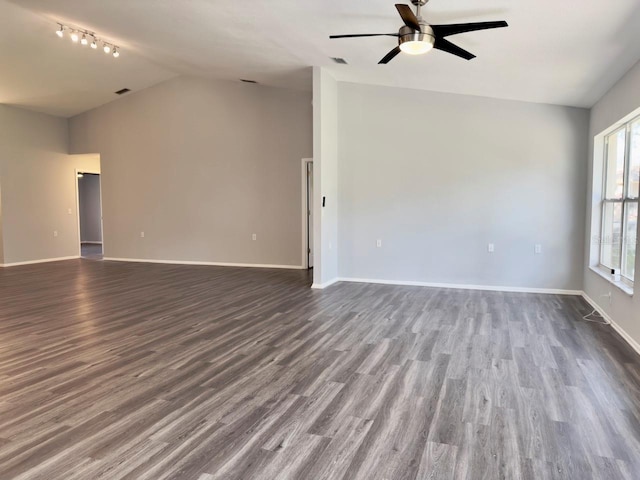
(200, 166)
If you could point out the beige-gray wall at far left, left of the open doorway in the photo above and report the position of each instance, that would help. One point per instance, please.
(38, 187)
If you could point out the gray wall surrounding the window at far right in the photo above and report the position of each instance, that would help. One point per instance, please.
(620, 101)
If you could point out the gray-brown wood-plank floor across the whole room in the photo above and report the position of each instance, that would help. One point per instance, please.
(130, 371)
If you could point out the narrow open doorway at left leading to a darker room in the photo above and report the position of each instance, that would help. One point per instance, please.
(90, 215)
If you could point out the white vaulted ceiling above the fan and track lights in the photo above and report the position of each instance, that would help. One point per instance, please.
(567, 52)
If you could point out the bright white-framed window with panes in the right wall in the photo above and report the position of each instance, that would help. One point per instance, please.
(620, 203)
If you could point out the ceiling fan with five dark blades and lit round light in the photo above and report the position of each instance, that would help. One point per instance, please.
(416, 36)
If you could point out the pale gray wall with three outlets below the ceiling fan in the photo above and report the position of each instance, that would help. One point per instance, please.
(437, 177)
